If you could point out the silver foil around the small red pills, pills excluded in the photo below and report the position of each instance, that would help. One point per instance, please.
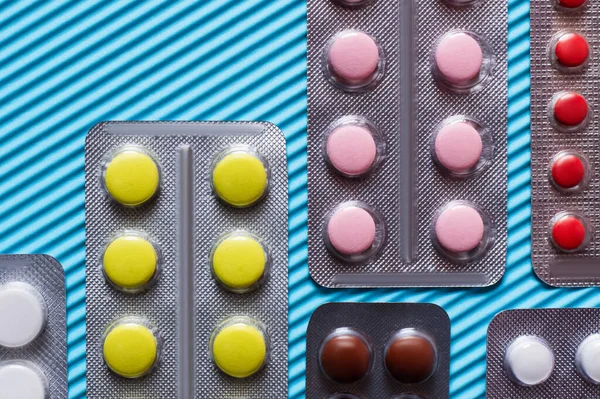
(546, 141)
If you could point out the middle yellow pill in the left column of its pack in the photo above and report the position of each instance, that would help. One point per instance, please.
(130, 262)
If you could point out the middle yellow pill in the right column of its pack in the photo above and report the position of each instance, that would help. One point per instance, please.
(239, 261)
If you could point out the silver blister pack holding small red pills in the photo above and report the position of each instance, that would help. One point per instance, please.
(564, 141)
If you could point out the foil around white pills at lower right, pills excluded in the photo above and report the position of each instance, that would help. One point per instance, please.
(563, 330)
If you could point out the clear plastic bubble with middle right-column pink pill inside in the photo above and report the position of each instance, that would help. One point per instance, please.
(461, 146)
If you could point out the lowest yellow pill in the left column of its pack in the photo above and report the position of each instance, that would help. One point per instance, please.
(130, 349)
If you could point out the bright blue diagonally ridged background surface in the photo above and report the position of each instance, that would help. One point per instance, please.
(66, 65)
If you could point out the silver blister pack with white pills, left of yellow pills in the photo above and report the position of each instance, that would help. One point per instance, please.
(33, 328)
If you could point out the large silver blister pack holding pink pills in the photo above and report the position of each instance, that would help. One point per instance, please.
(407, 141)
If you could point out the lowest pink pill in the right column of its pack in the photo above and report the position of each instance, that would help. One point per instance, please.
(459, 228)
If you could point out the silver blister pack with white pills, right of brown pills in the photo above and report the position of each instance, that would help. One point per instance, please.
(544, 354)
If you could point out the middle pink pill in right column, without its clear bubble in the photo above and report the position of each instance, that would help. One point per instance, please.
(458, 146)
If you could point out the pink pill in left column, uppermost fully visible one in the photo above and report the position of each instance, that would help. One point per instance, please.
(354, 57)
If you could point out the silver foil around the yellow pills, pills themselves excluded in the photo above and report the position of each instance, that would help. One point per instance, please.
(212, 303)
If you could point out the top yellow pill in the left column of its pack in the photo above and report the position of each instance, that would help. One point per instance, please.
(131, 177)
